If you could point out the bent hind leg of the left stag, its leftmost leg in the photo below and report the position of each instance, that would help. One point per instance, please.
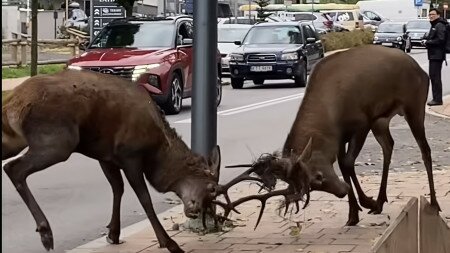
(19, 169)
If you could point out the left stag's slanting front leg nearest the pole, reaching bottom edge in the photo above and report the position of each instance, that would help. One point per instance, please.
(135, 177)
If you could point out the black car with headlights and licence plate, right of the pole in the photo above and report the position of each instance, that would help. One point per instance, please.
(285, 50)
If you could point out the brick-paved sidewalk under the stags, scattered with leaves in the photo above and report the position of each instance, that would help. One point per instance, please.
(318, 228)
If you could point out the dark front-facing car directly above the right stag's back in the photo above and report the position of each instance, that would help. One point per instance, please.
(393, 34)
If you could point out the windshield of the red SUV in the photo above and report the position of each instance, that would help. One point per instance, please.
(135, 35)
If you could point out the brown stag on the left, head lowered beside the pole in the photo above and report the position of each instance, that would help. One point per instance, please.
(108, 119)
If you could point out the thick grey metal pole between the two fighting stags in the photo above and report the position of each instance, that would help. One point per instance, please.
(204, 104)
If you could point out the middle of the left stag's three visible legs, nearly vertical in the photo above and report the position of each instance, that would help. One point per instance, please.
(114, 177)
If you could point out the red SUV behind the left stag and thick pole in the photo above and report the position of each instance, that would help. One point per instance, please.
(154, 52)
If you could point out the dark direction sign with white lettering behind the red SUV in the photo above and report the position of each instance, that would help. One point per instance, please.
(103, 12)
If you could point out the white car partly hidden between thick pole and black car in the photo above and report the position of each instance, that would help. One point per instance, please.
(226, 36)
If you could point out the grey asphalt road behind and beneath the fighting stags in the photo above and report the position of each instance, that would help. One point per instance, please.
(77, 199)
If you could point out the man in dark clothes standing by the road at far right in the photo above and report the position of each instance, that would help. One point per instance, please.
(435, 44)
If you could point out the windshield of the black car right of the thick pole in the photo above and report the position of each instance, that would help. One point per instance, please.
(273, 35)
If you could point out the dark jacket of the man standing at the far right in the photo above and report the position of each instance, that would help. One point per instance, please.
(435, 41)
